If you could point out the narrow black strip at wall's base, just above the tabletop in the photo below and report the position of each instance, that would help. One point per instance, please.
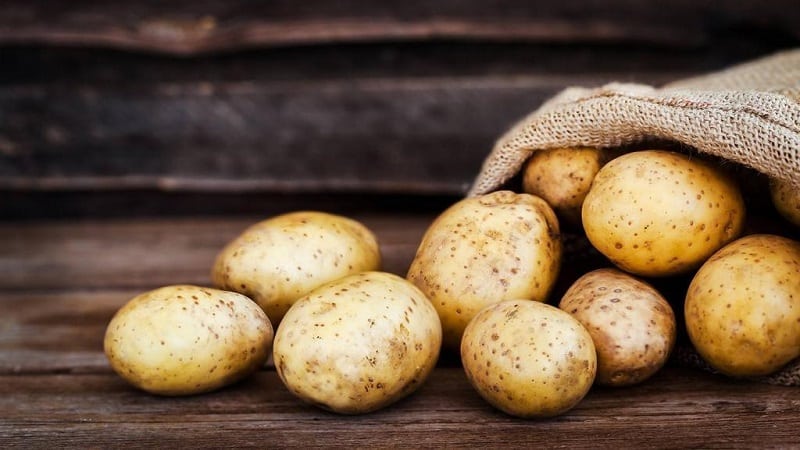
(24, 205)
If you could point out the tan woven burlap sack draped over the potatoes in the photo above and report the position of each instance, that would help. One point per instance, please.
(748, 113)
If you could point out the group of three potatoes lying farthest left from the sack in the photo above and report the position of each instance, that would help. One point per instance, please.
(305, 285)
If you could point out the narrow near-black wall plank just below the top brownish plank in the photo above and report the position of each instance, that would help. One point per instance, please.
(27, 65)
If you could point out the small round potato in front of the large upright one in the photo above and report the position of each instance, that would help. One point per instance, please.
(528, 359)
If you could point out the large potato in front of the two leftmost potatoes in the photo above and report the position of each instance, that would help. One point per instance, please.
(358, 344)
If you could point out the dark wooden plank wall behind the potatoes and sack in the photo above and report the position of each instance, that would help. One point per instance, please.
(148, 107)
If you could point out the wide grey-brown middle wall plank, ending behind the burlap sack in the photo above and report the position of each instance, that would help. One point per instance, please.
(375, 135)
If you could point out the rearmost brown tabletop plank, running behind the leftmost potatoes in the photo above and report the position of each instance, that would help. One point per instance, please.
(42, 256)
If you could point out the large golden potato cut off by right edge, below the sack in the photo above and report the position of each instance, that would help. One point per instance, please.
(743, 306)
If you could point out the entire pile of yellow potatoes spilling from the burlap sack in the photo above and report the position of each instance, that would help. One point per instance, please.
(306, 287)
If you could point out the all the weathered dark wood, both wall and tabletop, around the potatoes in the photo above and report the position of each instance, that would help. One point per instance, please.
(136, 138)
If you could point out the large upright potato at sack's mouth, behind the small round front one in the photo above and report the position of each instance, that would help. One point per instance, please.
(483, 250)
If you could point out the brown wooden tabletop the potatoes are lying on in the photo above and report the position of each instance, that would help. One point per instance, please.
(61, 281)
